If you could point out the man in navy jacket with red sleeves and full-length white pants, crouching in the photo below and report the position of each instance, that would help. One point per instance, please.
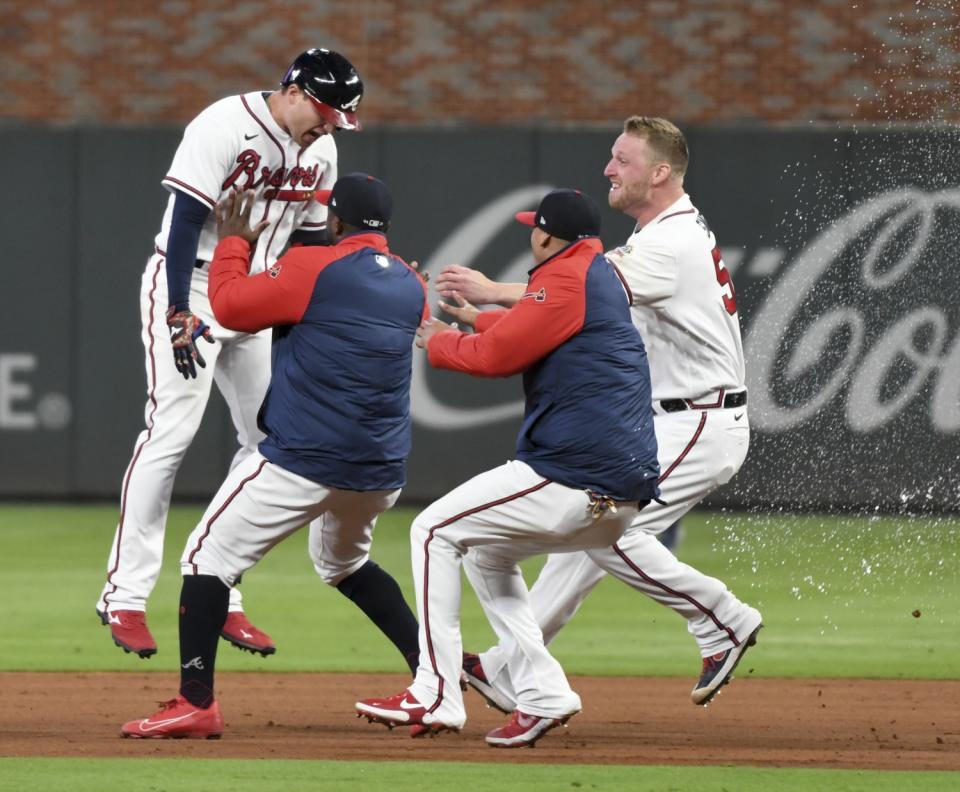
(586, 462)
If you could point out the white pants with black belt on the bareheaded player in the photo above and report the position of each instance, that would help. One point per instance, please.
(699, 450)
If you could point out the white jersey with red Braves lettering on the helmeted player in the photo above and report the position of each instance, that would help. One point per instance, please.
(235, 144)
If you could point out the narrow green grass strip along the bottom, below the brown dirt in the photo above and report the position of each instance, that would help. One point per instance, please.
(151, 775)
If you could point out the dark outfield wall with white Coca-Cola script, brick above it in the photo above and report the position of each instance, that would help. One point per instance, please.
(822, 155)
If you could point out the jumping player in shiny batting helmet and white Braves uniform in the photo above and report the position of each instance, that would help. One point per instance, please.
(278, 146)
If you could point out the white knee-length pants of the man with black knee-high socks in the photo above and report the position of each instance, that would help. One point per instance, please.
(260, 504)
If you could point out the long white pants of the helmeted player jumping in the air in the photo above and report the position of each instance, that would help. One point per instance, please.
(239, 364)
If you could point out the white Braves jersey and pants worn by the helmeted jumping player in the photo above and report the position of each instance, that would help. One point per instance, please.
(234, 144)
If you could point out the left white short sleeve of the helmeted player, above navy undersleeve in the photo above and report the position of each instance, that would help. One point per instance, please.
(203, 158)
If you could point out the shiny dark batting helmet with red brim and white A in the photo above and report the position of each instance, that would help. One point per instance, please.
(330, 82)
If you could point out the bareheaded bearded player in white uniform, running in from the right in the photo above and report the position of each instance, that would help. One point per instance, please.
(685, 307)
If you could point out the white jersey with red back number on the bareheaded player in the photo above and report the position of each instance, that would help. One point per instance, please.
(684, 304)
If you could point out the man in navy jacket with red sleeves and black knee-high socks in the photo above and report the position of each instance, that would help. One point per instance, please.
(337, 423)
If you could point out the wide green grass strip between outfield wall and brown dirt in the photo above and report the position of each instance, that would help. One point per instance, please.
(837, 595)
